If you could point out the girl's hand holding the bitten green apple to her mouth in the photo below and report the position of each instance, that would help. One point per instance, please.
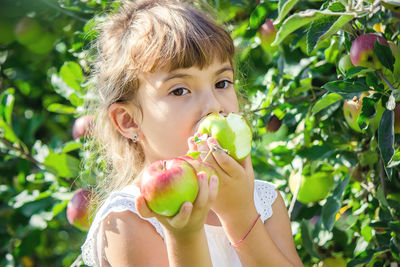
(236, 192)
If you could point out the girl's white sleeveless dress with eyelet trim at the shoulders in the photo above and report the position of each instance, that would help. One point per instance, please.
(222, 253)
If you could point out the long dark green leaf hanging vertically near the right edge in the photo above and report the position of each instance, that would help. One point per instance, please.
(386, 136)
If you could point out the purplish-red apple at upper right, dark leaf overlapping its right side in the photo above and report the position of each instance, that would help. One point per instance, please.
(362, 51)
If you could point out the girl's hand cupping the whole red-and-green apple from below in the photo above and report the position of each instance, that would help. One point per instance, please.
(191, 217)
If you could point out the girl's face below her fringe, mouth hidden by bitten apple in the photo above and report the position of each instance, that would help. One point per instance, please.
(174, 102)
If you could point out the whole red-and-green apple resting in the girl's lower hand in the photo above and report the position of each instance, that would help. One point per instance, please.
(167, 184)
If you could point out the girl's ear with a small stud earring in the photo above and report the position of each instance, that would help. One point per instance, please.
(123, 119)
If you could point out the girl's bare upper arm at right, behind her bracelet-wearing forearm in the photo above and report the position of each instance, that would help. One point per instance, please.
(279, 228)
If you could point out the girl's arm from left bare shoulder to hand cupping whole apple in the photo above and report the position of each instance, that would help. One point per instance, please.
(129, 240)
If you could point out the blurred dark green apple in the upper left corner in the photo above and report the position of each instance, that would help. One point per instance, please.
(28, 31)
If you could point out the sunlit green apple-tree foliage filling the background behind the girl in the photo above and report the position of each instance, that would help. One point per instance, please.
(42, 93)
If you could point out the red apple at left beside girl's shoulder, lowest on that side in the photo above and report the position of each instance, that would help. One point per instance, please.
(77, 209)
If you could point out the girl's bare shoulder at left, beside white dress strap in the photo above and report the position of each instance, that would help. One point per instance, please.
(128, 240)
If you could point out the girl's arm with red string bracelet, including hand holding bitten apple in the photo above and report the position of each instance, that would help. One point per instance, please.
(237, 212)
